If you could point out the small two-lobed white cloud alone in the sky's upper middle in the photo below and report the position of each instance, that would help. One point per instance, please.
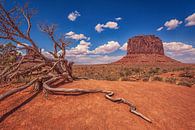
(110, 24)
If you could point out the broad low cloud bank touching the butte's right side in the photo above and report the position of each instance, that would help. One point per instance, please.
(180, 51)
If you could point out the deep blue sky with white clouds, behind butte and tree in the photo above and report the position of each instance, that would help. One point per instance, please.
(137, 17)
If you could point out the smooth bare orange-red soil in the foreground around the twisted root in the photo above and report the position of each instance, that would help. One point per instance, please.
(170, 107)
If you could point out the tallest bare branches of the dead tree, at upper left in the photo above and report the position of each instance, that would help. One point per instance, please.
(11, 29)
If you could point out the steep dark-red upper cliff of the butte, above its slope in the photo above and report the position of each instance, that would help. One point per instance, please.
(145, 44)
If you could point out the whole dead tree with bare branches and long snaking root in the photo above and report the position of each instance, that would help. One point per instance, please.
(44, 71)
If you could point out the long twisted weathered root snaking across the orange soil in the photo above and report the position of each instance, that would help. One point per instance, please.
(46, 88)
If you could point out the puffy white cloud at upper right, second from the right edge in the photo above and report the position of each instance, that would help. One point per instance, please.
(172, 24)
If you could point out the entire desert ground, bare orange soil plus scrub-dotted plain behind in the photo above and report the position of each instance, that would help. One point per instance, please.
(169, 105)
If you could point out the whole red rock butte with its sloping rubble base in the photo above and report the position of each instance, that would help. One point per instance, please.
(146, 49)
